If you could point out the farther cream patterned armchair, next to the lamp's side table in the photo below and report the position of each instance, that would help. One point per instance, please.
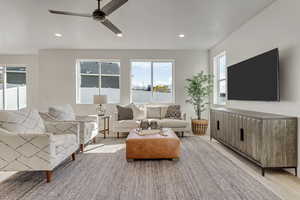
(88, 125)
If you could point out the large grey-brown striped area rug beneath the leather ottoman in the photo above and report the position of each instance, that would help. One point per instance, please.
(102, 173)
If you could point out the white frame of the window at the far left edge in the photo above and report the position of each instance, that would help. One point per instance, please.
(4, 100)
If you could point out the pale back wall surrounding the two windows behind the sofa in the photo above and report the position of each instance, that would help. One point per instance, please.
(57, 73)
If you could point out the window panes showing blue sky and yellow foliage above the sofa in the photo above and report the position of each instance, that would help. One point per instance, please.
(152, 81)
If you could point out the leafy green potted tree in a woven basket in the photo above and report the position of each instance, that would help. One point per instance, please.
(199, 88)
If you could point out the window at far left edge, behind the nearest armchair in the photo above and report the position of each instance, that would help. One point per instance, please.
(12, 87)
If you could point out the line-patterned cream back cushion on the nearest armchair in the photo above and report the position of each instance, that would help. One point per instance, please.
(24, 121)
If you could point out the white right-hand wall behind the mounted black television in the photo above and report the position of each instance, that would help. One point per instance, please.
(277, 26)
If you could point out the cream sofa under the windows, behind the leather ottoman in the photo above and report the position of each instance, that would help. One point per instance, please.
(124, 126)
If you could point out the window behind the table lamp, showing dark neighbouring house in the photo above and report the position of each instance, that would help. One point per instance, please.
(95, 77)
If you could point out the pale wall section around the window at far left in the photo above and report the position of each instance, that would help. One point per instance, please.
(31, 62)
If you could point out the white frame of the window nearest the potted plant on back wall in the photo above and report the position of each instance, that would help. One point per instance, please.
(154, 61)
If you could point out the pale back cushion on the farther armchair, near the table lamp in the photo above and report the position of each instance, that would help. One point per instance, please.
(63, 112)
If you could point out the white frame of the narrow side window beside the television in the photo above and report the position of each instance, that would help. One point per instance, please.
(217, 80)
